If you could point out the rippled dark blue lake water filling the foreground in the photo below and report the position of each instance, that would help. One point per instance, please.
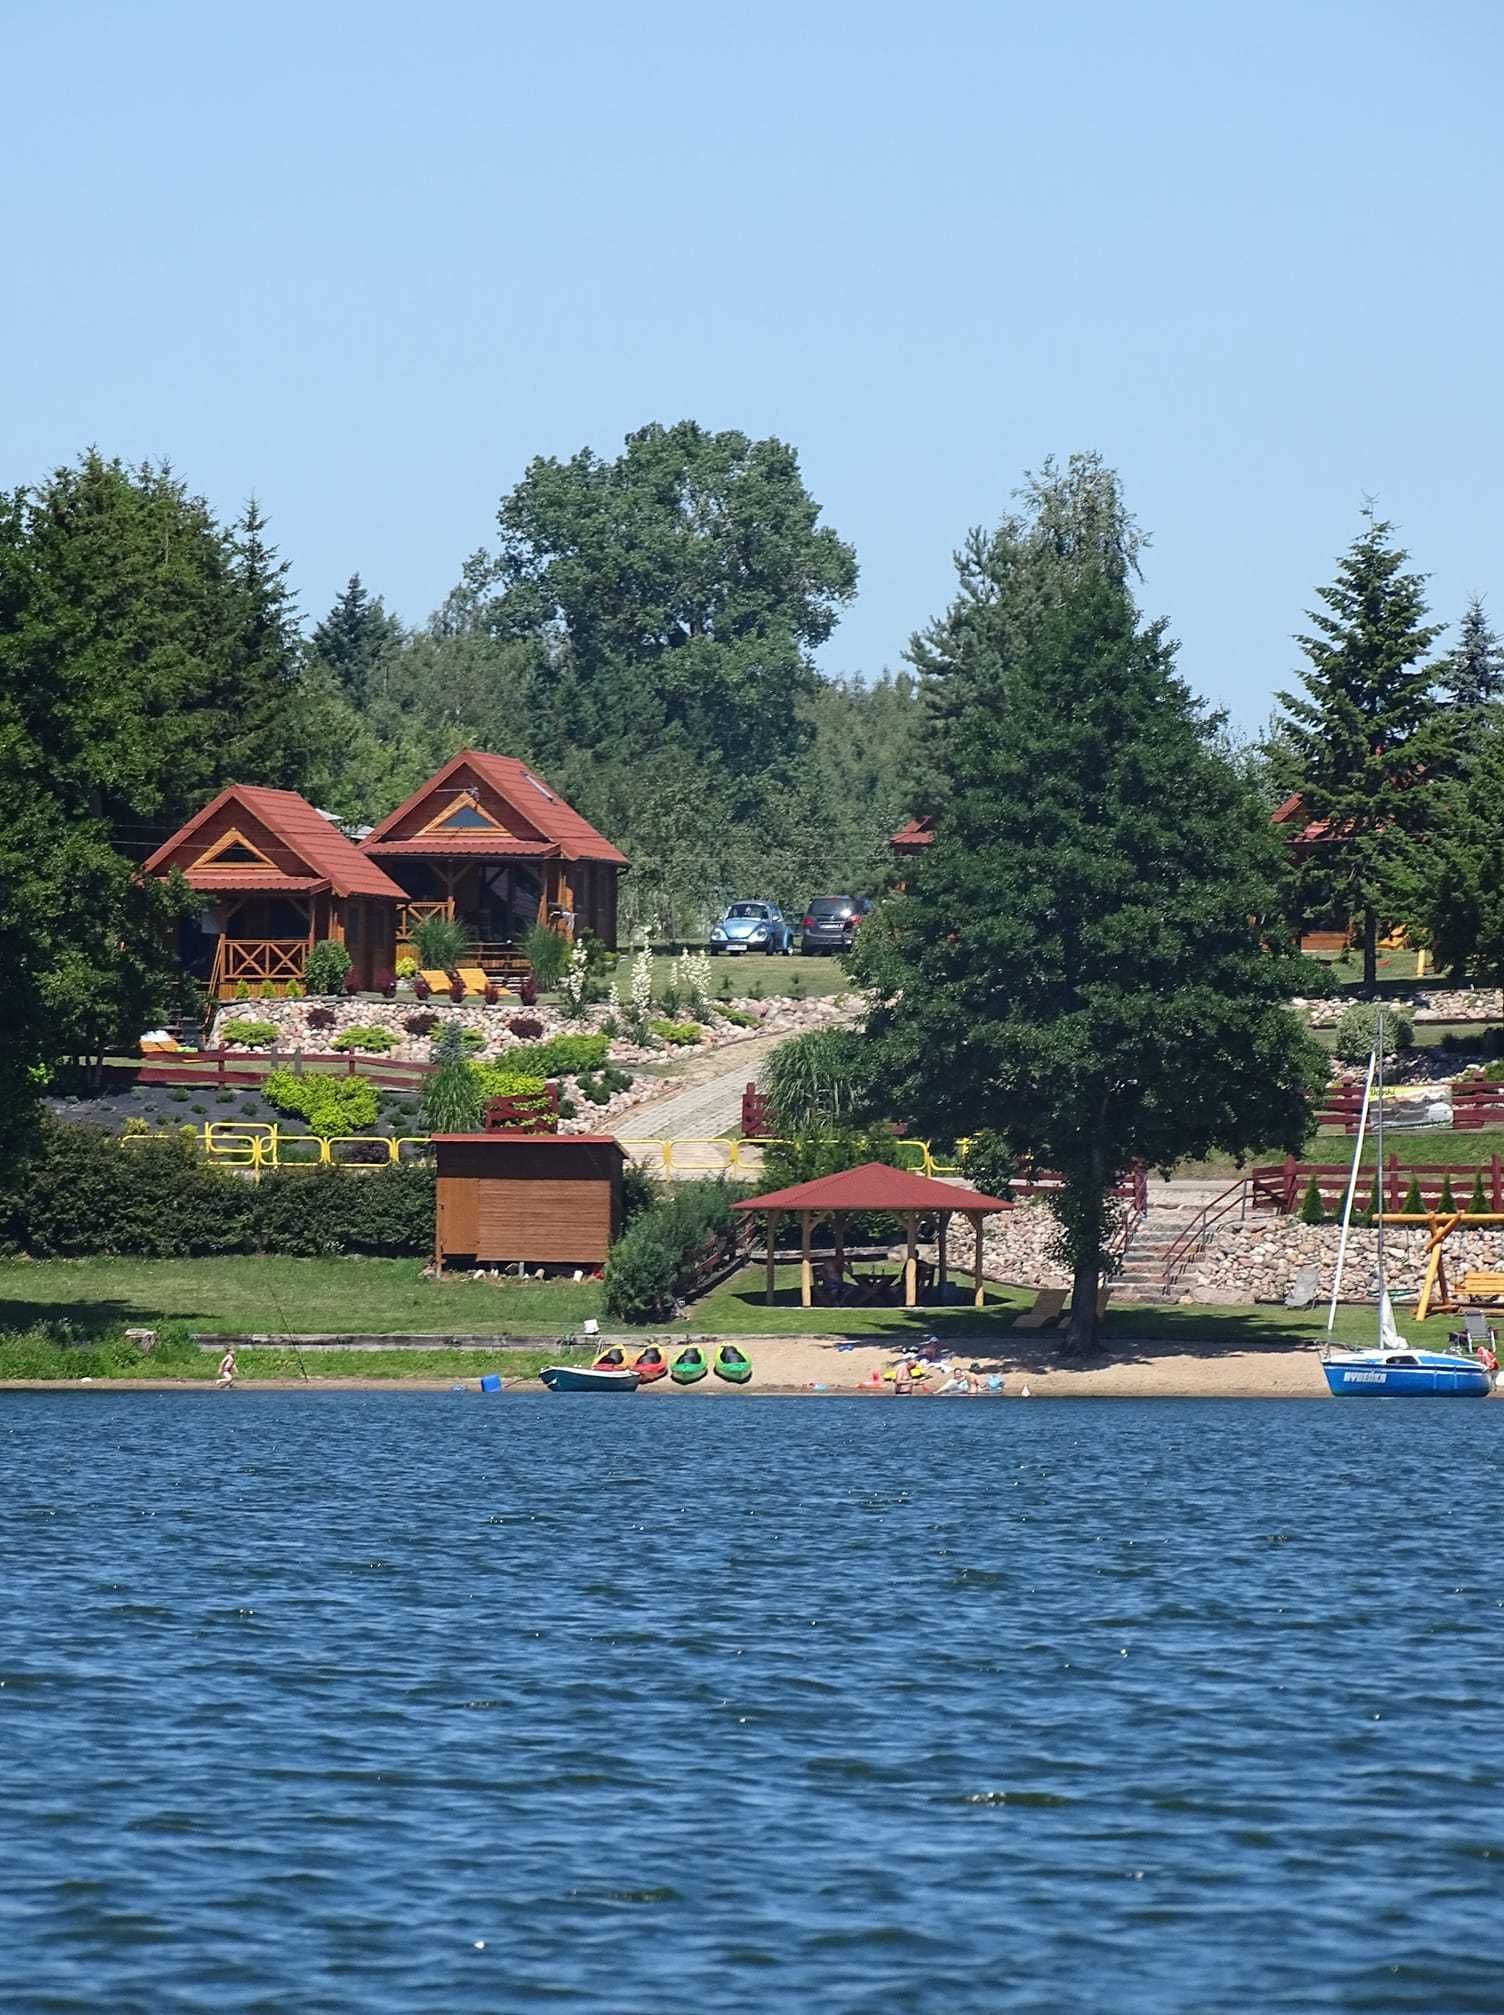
(438, 1704)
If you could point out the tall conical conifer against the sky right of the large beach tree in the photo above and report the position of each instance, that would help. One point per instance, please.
(1368, 734)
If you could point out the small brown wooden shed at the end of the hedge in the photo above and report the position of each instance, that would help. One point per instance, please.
(541, 1200)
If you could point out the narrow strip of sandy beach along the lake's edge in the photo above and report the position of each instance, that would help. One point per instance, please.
(832, 1367)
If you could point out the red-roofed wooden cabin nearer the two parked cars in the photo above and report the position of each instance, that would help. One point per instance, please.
(493, 847)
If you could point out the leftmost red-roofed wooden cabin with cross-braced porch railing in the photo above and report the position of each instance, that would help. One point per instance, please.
(279, 878)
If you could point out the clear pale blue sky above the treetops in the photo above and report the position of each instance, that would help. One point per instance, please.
(366, 261)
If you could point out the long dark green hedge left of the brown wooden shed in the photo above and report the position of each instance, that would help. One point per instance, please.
(158, 1200)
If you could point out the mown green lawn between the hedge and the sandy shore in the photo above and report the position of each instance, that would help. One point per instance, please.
(384, 1297)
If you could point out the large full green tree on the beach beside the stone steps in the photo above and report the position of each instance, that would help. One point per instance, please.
(1076, 960)
